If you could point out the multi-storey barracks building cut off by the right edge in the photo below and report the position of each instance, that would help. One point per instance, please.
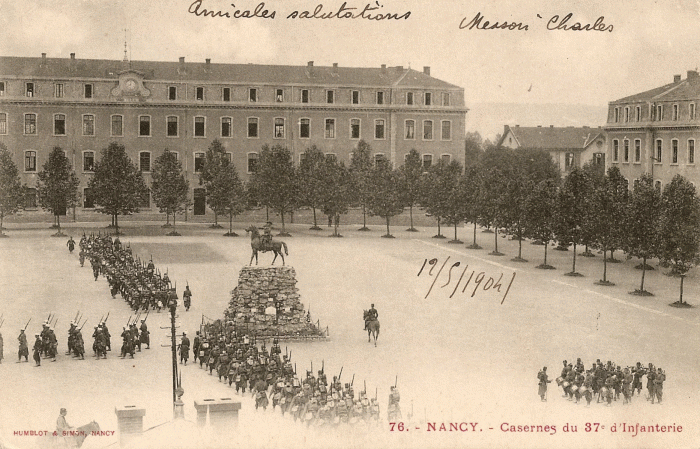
(656, 131)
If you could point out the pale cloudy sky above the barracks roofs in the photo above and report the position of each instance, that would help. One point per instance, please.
(650, 42)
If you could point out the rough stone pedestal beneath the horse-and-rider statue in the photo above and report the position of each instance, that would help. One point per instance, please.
(266, 303)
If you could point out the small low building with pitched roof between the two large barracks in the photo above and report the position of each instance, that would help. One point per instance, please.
(569, 146)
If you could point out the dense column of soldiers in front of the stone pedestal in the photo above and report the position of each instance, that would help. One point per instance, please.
(270, 376)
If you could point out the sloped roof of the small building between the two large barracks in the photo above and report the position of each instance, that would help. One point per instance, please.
(552, 138)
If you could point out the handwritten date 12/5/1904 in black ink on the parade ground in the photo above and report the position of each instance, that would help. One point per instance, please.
(481, 281)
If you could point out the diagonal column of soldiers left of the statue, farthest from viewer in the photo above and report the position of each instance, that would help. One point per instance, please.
(141, 285)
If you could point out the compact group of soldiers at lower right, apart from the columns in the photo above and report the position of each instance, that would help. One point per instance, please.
(605, 382)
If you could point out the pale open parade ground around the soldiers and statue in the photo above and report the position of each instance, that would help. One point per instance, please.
(463, 335)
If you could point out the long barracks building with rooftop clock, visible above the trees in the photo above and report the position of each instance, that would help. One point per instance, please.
(147, 106)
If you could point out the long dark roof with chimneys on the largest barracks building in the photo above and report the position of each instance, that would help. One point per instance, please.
(201, 71)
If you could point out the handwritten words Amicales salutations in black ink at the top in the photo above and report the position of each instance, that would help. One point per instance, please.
(370, 11)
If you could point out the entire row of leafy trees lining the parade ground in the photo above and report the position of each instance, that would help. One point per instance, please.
(518, 193)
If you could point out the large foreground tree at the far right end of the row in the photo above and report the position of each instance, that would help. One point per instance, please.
(680, 227)
